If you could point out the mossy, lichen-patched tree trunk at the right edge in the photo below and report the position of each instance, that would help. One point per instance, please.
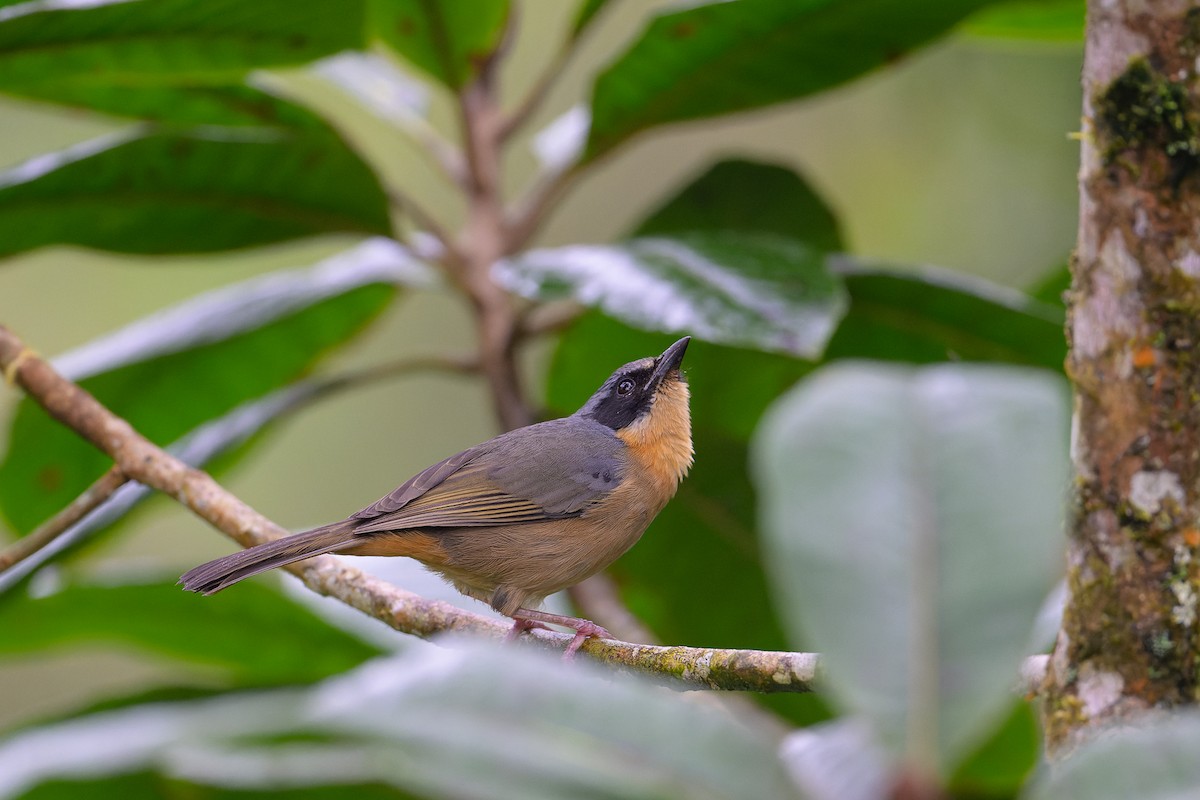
(1129, 640)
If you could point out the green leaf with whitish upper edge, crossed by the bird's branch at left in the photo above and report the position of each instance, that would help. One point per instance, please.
(188, 365)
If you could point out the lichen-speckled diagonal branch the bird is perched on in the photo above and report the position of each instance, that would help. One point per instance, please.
(406, 612)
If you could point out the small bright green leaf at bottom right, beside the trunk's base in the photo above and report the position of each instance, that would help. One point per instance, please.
(1004, 763)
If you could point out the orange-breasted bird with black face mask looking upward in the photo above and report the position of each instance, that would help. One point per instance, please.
(526, 514)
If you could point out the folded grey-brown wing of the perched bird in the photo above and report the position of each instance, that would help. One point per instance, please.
(544, 472)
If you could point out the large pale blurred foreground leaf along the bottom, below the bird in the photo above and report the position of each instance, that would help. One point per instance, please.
(479, 723)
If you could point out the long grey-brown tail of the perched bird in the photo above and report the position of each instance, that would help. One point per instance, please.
(229, 570)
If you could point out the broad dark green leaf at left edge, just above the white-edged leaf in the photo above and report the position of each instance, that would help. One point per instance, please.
(175, 193)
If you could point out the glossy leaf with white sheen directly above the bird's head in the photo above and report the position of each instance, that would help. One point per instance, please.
(751, 290)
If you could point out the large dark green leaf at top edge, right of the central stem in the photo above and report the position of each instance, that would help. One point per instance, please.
(733, 57)
